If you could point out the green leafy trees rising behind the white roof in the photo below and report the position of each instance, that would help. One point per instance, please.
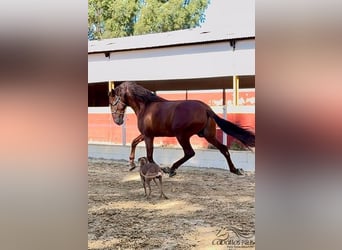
(117, 18)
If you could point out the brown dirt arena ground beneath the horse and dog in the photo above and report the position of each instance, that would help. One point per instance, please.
(203, 205)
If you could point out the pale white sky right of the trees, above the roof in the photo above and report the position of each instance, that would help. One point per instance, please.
(230, 15)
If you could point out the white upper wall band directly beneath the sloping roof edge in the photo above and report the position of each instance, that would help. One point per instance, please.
(174, 62)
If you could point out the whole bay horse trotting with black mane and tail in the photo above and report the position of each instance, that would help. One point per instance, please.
(158, 117)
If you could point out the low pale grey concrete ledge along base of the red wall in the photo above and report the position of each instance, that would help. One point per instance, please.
(209, 158)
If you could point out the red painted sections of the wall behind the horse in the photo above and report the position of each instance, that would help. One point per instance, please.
(101, 127)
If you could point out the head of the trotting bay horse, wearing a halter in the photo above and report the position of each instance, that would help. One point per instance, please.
(117, 105)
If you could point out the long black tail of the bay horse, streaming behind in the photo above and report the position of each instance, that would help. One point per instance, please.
(243, 135)
